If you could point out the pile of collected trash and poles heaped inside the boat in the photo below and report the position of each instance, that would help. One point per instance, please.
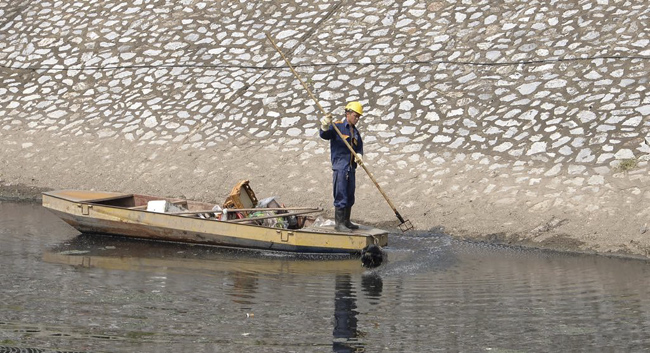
(242, 206)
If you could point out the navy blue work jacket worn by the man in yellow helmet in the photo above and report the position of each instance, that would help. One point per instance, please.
(339, 152)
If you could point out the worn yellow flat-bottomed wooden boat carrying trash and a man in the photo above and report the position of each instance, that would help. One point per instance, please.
(197, 222)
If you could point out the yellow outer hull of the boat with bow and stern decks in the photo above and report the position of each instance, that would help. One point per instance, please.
(87, 215)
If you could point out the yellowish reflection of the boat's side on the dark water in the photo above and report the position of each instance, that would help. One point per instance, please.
(126, 254)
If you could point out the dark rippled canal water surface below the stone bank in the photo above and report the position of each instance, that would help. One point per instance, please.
(64, 292)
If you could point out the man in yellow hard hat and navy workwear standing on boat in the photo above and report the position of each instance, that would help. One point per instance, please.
(344, 164)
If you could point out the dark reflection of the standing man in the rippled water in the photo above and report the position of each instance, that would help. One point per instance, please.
(345, 317)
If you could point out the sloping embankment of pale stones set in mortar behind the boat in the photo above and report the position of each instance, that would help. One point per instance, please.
(522, 122)
